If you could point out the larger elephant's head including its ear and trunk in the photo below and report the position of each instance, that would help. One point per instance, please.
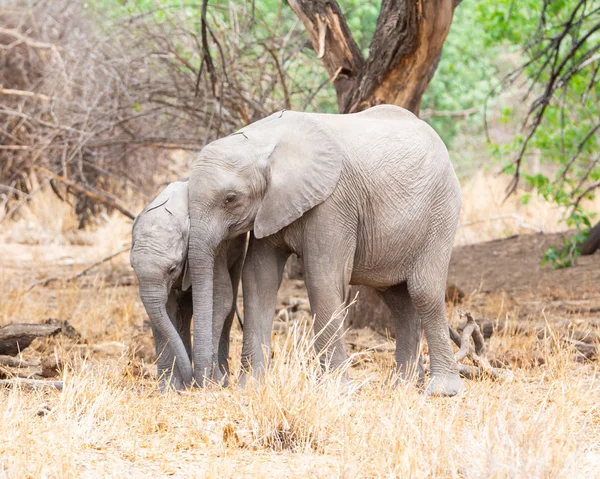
(262, 178)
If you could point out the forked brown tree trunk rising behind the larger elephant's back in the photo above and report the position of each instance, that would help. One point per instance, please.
(403, 55)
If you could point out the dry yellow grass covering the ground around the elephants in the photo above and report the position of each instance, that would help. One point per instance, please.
(110, 422)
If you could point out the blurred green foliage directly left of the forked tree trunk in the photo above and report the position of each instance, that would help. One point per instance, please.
(249, 29)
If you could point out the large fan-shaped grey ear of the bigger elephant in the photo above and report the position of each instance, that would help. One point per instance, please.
(304, 166)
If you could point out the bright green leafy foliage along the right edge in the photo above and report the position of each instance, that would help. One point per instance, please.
(559, 82)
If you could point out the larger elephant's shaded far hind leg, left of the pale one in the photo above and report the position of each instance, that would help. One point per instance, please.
(407, 327)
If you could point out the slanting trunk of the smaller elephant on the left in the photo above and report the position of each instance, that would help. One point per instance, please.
(155, 302)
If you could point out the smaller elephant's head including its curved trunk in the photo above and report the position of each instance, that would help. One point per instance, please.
(158, 256)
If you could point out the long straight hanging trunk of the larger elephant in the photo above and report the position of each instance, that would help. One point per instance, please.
(202, 260)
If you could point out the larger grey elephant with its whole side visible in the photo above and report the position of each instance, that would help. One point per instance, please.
(369, 198)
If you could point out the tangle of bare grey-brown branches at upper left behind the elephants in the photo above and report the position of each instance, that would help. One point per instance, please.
(102, 104)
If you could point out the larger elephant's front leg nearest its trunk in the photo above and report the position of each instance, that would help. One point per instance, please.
(261, 277)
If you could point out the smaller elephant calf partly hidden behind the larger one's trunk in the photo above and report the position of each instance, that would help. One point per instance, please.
(159, 252)
